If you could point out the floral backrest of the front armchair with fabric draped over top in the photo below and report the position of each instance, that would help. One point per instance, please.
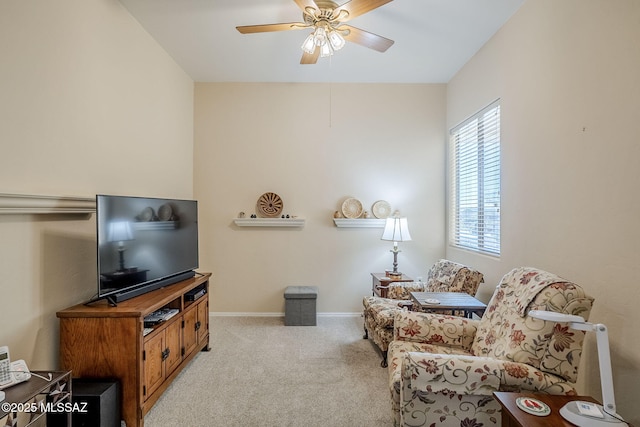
(507, 333)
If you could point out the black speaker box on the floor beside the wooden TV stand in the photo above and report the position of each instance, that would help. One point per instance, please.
(102, 397)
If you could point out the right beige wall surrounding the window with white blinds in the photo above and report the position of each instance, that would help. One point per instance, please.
(567, 73)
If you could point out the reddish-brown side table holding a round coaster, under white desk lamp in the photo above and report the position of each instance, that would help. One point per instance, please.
(512, 416)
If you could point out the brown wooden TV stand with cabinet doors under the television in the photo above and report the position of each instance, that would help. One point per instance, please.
(102, 341)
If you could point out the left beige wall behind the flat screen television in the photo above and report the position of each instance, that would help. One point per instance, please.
(89, 103)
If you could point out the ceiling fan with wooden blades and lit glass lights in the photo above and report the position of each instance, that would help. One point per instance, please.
(330, 32)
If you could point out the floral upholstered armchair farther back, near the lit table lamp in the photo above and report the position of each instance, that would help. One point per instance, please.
(379, 313)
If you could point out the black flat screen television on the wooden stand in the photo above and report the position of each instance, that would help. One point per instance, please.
(144, 244)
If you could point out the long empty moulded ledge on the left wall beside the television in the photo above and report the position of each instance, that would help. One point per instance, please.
(29, 204)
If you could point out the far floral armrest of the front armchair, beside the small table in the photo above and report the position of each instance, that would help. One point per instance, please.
(437, 329)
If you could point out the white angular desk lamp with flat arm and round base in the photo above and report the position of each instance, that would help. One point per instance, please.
(577, 412)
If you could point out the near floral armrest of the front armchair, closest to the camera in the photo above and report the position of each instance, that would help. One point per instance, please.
(435, 373)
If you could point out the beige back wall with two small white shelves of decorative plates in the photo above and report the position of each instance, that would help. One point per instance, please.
(315, 145)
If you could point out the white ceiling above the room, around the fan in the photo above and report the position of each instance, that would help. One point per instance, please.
(433, 39)
